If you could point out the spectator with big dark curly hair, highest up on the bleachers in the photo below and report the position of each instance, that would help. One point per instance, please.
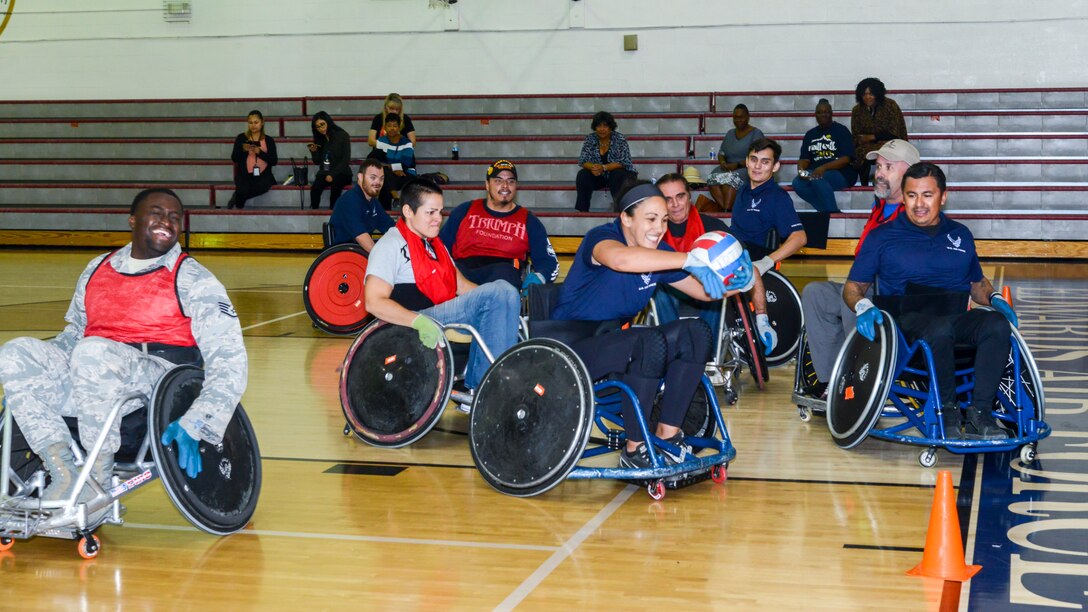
(875, 120)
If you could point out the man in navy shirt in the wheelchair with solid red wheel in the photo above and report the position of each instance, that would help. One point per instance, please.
(358, 213)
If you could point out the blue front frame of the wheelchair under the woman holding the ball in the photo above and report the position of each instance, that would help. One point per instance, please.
(610, 410)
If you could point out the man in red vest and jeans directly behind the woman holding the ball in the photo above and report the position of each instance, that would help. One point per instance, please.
(685, 226)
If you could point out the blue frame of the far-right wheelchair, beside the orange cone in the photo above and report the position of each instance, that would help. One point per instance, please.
(922, 410)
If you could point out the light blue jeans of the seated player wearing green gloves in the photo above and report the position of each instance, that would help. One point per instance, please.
(493, 311)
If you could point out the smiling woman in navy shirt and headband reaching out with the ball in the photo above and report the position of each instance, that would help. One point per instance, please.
(614, 275)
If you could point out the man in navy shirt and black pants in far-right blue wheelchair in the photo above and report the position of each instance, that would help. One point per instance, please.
(924, 252)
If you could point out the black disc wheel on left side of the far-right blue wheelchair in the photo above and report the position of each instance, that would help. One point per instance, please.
(860, 384)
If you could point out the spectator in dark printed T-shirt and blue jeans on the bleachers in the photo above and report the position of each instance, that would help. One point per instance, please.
(824, 166)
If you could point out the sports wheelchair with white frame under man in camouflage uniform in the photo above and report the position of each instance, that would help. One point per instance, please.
(220, 501)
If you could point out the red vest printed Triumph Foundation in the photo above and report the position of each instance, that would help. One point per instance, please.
(481, 235)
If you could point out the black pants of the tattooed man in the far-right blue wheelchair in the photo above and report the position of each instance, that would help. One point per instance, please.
(986, 331)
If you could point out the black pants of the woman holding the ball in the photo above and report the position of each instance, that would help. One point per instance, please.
(640, 358)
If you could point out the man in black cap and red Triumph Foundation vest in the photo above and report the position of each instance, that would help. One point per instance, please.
(493, 239)
